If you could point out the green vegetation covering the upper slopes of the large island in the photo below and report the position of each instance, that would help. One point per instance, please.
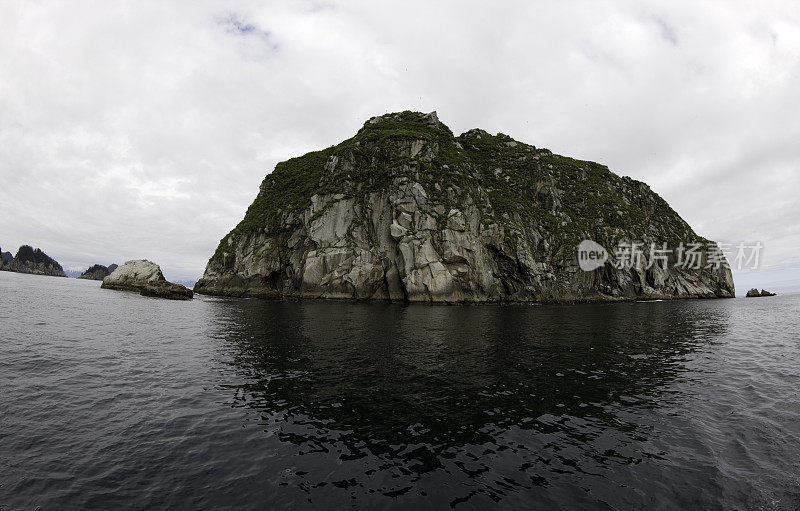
(525, 186)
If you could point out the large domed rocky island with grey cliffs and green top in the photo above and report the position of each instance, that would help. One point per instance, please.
(406, 211)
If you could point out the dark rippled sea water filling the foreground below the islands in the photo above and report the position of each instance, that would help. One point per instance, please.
(110, 400)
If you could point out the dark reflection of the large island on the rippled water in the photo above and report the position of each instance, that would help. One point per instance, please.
(447, 405)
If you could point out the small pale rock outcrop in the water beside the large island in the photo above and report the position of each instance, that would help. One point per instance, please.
(146, 278)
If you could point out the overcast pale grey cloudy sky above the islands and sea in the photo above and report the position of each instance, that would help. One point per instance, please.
(143, 129)
